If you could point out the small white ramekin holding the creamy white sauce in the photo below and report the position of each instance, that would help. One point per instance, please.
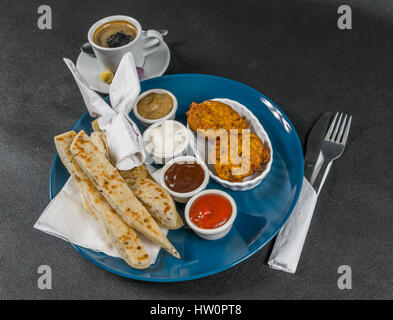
(165, 157)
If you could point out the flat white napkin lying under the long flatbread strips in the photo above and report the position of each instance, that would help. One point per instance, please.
(66, 219)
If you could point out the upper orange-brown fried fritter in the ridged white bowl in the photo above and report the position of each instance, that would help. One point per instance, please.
(214, 115)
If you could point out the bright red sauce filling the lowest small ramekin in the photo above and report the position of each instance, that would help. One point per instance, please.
(210, 211)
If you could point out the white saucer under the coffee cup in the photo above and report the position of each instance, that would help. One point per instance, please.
(155, 66)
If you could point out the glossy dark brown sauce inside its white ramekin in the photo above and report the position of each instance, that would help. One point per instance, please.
(184, 177)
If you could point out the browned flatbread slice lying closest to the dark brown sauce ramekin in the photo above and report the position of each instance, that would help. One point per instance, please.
(158, 202)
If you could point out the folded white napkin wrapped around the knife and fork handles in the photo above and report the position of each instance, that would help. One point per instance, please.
(290, 240)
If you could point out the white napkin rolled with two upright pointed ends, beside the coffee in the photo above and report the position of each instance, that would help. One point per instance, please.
(124, 138)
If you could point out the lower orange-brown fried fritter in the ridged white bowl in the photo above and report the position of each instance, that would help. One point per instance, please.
(236, 161)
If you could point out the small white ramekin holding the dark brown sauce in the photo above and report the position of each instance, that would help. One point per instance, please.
(184, 197)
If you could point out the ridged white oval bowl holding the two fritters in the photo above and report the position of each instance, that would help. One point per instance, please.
(254, 126)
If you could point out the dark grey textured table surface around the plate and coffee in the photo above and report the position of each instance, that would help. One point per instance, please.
(293, 52)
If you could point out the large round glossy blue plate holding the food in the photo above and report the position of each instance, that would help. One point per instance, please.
(262, 211)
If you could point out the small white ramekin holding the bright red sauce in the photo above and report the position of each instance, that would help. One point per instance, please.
(211, 234)
